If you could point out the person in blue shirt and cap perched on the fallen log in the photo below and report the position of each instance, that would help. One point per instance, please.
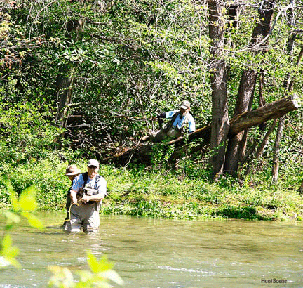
(179, 121)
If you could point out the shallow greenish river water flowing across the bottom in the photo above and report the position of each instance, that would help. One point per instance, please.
(166, 253)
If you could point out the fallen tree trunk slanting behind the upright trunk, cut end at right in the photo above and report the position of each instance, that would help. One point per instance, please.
(143, 151)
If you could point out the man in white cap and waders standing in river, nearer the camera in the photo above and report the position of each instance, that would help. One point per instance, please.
(87, 192)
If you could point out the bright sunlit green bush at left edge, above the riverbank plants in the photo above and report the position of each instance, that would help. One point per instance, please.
(26, 135)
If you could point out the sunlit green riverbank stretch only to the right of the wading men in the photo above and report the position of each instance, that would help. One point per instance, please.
(163, 194)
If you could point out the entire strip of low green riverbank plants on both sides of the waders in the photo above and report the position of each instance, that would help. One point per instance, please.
(157, 193)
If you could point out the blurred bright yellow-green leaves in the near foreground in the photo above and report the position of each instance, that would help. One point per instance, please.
(100, 273)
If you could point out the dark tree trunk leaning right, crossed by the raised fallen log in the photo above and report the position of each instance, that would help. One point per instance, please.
(237, 143)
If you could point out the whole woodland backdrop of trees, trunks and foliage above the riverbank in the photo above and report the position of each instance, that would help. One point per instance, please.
(84, 79)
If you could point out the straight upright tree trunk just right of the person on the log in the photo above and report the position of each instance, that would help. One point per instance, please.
(220, 120)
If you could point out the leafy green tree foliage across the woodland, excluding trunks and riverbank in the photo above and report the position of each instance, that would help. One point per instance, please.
(126, 61)
